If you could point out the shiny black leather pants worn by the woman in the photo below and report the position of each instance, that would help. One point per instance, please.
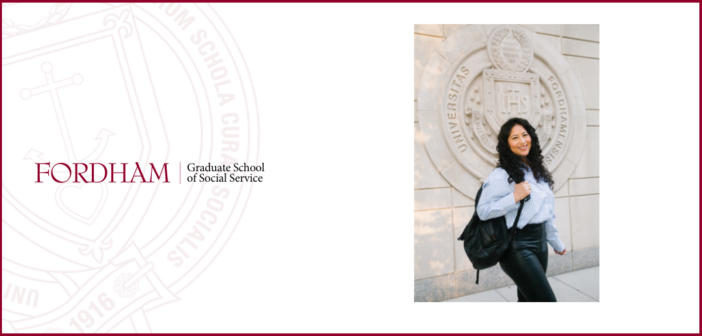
(526, 261)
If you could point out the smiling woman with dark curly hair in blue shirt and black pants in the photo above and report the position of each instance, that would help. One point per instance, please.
(520, 173)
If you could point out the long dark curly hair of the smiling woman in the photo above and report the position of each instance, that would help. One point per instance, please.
(512, 163)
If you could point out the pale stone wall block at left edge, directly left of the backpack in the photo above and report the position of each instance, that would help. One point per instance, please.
(433, 243)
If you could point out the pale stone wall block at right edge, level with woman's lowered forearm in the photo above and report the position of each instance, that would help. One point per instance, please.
(585, 221)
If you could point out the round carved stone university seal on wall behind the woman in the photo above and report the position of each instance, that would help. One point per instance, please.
(479, 78)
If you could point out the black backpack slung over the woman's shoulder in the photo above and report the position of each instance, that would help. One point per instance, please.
(486, 241)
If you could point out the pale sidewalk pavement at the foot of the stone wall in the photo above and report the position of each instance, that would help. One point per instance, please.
(578, 286)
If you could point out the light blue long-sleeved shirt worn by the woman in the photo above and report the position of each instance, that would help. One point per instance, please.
(497, 199)
